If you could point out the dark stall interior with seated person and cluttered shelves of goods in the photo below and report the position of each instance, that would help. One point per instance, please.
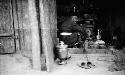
(93, 23)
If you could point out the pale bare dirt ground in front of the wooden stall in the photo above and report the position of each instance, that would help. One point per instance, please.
(18, 65)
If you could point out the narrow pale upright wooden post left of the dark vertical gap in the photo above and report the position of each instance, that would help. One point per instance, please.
(35, 35)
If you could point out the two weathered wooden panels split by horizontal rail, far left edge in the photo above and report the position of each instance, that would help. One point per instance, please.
(6, 26)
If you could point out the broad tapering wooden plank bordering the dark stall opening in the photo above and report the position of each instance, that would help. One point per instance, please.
(48, 26)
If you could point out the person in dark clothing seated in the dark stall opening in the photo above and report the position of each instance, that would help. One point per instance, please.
(70, 26)
